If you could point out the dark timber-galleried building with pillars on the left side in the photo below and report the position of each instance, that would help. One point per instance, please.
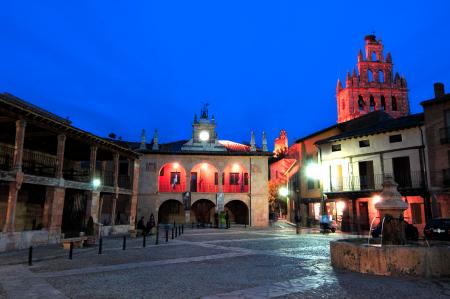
(54, 177)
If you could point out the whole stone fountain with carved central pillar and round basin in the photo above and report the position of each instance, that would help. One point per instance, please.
(394, 256)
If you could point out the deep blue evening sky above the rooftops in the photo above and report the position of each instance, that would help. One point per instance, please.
(119, 66)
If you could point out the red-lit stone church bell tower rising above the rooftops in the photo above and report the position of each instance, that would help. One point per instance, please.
(373, 87)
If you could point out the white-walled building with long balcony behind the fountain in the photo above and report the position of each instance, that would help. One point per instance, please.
(353, 165)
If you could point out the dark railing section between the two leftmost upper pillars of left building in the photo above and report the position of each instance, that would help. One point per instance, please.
(37, 163)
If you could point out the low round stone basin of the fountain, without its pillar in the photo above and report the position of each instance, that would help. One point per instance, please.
(391, 260)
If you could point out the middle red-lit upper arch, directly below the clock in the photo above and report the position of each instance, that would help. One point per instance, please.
(204, 177)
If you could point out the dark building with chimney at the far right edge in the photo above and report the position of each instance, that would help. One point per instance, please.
(437, 133)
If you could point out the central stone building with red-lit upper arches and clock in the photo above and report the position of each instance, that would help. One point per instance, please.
(189, 181)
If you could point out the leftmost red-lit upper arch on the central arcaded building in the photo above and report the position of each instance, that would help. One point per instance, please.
(172, 178)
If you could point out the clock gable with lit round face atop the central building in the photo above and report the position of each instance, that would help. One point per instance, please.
(204, 136)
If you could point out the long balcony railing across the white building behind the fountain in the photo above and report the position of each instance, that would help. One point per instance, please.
(375, 183)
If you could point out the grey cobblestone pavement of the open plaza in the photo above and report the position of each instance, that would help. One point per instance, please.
(203, 263)
